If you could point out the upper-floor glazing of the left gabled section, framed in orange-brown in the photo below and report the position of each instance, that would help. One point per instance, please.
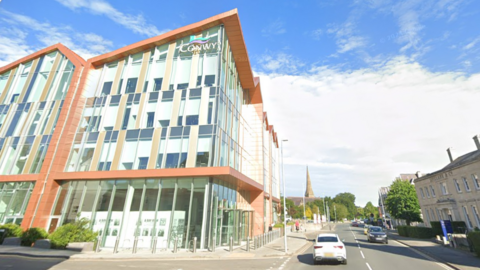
(31, 98)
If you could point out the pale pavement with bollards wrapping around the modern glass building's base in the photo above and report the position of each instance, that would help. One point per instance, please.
(296, 242)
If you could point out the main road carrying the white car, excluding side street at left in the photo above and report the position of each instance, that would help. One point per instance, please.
(363, 255)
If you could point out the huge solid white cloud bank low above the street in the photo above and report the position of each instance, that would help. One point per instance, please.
(364, 127)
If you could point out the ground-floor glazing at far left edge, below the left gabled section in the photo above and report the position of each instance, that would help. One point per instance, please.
(14, 197)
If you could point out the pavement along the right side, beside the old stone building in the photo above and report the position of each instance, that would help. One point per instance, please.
(455, 258)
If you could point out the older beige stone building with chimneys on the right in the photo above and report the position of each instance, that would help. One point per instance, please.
(452, 192)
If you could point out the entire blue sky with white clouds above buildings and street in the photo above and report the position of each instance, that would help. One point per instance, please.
(363, 90)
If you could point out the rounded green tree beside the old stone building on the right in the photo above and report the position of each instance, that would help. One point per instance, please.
(402, 201)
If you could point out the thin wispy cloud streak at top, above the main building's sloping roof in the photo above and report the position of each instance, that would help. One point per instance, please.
(137, 23)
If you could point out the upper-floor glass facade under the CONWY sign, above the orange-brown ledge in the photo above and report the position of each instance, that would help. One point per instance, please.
(186, 103)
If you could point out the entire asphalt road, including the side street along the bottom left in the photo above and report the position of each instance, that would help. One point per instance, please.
(361, 256)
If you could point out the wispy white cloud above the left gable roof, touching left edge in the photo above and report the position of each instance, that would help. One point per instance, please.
(15, 46)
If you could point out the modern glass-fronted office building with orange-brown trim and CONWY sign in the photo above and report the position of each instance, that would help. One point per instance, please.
(165, 139)
